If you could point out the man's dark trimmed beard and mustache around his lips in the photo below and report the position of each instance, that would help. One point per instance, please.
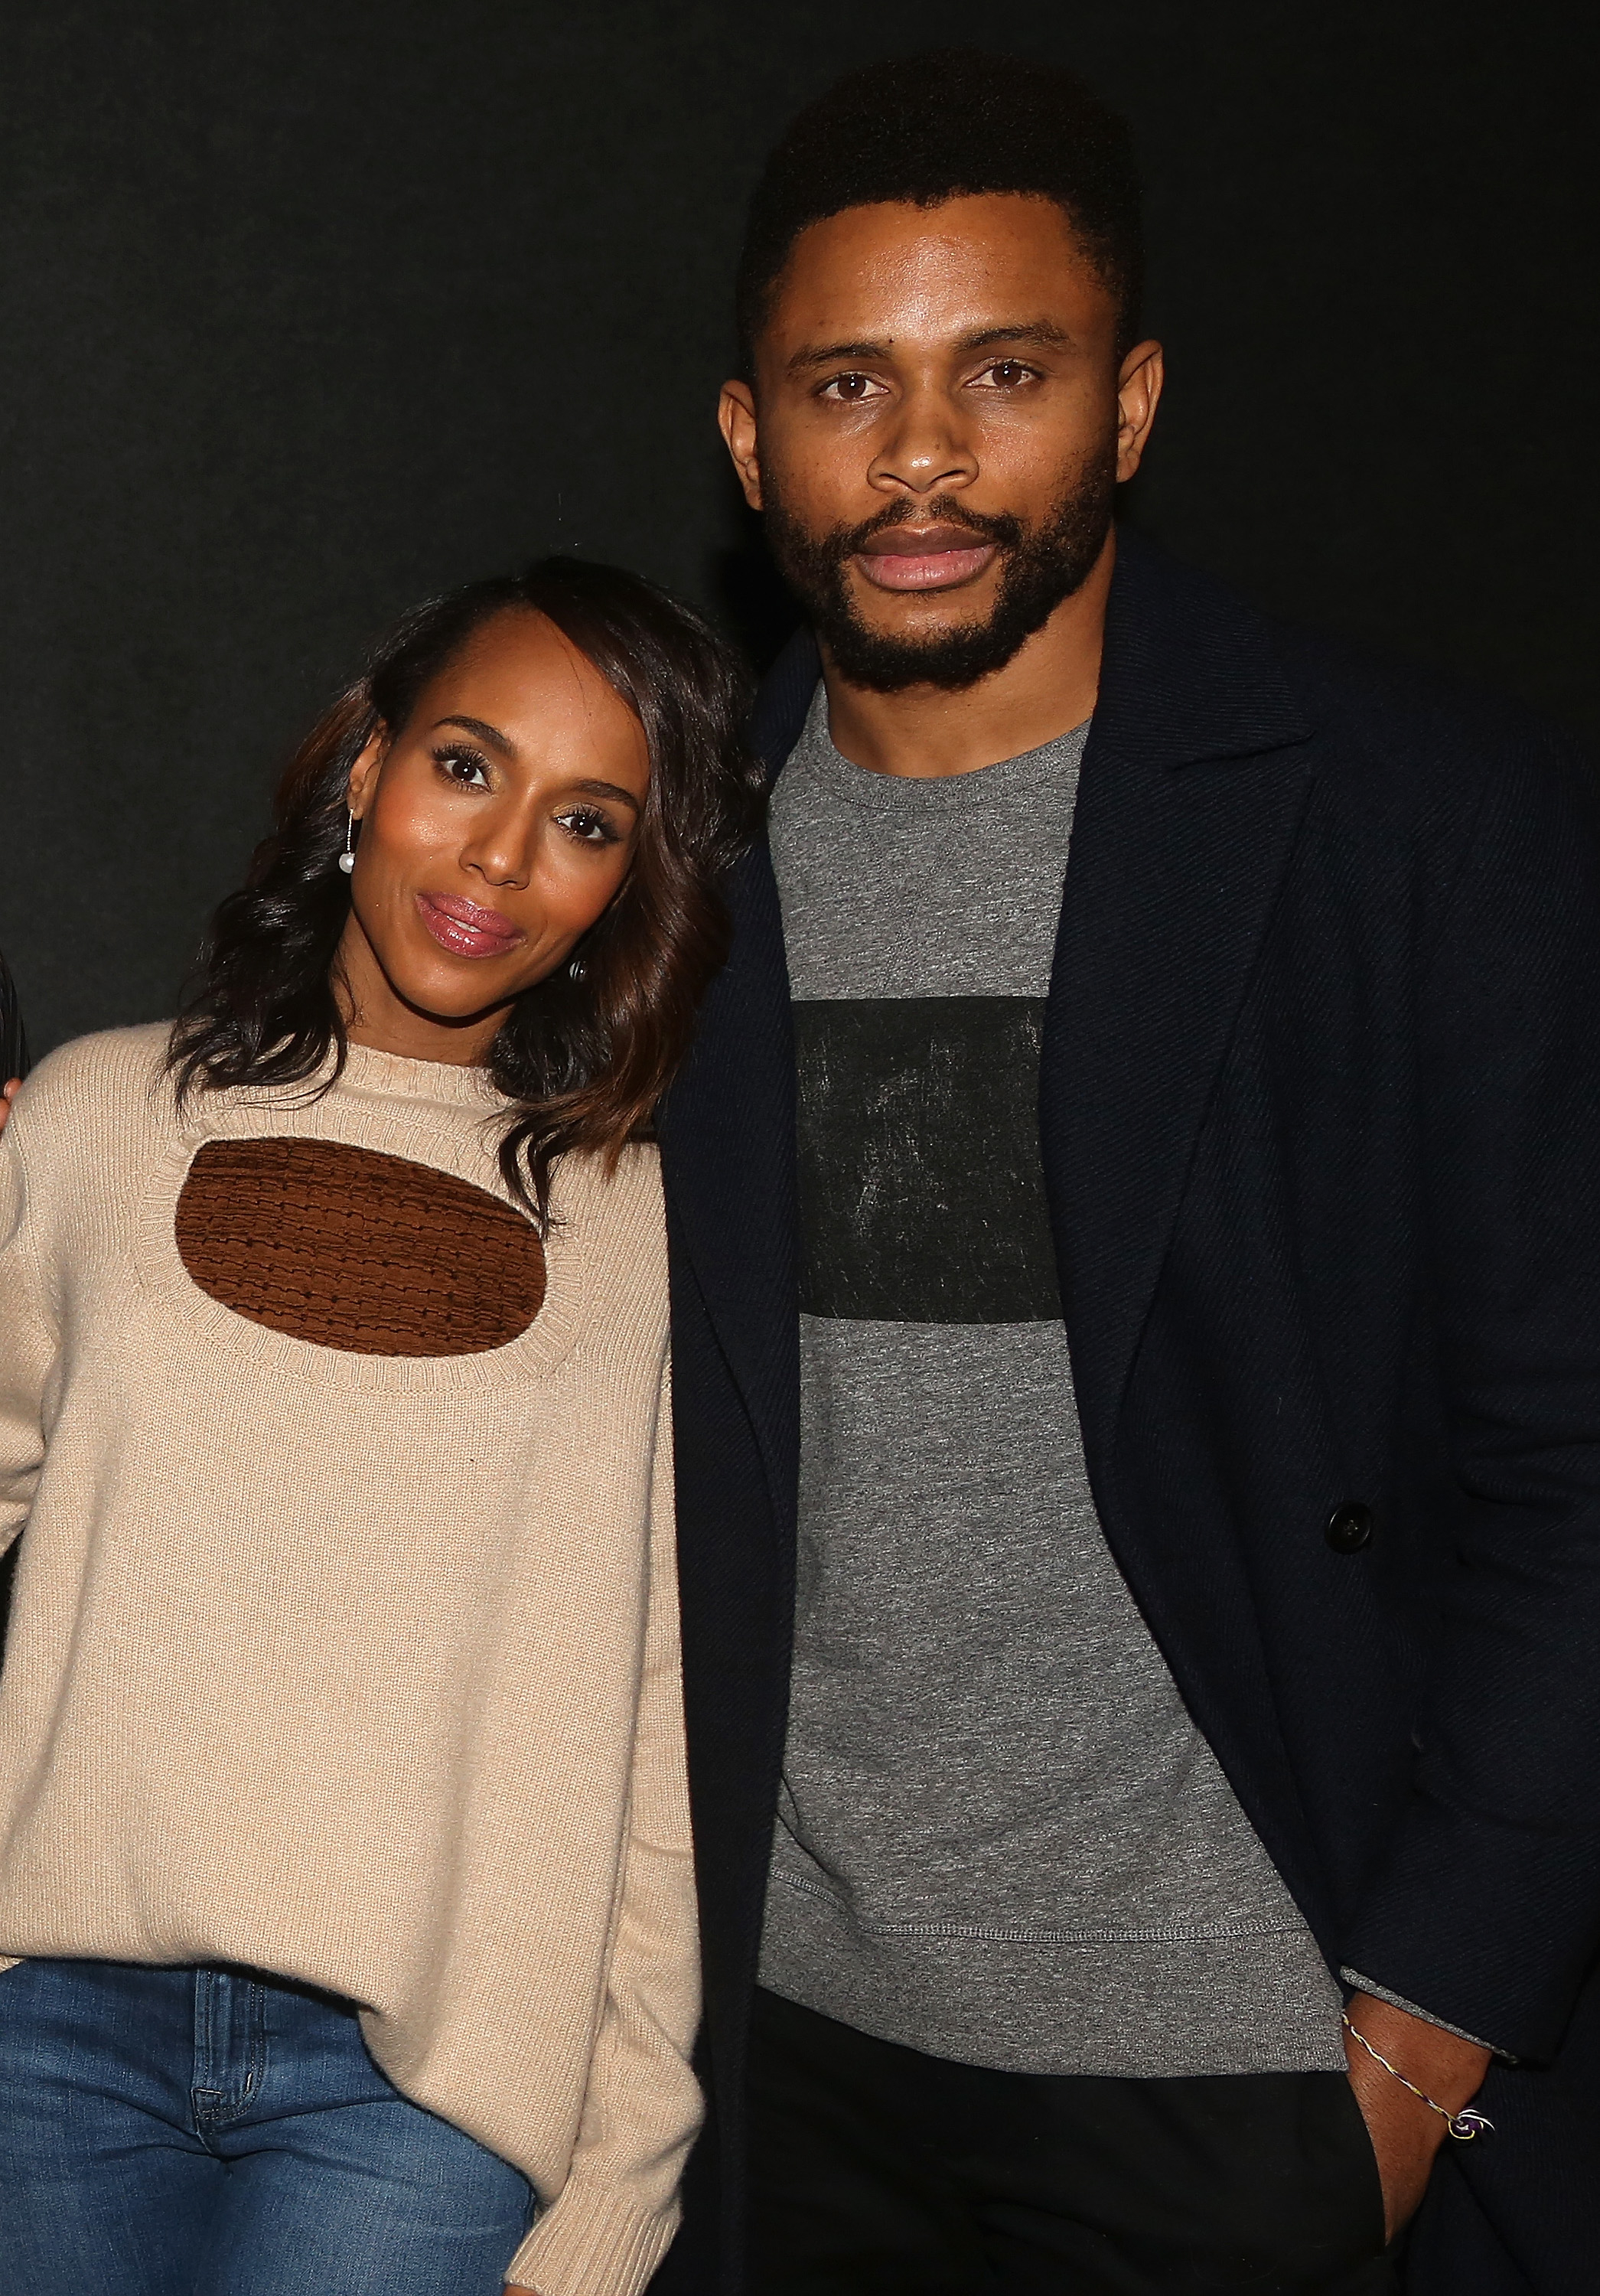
(1039, 568)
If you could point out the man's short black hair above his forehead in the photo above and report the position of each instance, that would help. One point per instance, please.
(940, 125)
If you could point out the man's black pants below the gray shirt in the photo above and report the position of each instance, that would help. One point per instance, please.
(876, 2169)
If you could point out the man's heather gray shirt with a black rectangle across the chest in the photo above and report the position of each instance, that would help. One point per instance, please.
(1002, 1836)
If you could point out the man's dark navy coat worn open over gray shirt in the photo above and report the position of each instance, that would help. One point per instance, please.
(1321, 1126)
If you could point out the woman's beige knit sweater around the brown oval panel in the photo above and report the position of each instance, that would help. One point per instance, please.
(357, 1668)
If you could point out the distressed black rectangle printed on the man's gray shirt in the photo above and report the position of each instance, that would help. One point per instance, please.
(919, 1161)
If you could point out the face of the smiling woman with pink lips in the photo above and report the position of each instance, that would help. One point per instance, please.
(495, 830)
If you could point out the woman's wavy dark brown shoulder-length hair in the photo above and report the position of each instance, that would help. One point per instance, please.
(582, 1062)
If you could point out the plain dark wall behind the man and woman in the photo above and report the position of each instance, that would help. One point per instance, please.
(313, 309)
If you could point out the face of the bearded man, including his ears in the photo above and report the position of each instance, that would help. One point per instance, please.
(938, 428)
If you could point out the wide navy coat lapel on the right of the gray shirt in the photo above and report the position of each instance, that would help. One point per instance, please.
(1190, 800)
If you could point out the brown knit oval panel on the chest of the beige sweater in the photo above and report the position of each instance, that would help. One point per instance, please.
(357, 1250)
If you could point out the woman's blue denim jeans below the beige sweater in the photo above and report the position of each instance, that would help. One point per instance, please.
(222, 2134)
